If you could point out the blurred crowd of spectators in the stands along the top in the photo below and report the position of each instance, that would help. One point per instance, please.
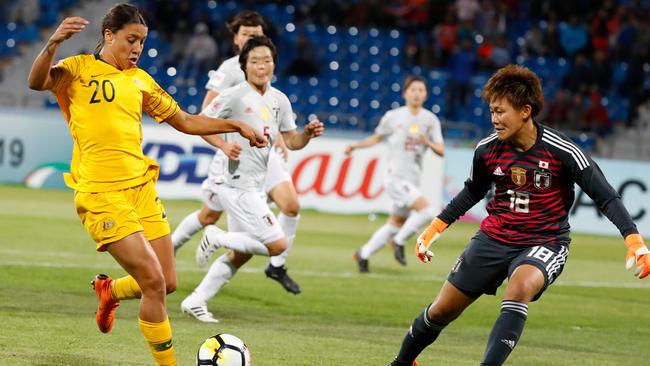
(593, 56)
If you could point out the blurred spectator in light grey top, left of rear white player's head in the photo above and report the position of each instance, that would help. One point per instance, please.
(201, 52)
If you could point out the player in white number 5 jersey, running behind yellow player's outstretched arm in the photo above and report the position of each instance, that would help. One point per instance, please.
(253, 226)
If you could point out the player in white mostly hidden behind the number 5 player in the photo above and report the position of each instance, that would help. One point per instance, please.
(278, 185)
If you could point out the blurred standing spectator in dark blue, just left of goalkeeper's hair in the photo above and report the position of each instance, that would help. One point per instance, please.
(461, 68)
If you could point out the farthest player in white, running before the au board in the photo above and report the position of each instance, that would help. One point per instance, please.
(410, 131)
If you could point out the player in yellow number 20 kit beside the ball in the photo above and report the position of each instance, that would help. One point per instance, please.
(102, 97)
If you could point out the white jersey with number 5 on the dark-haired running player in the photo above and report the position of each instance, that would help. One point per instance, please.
(268, 114)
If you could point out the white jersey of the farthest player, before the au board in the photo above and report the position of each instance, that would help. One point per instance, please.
(402, 130)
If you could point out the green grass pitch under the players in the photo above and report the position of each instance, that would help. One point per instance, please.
(595, 314)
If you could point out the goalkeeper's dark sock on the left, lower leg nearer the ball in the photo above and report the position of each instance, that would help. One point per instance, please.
(422, 333)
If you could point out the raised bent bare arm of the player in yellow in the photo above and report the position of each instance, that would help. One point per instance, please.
(42, 76)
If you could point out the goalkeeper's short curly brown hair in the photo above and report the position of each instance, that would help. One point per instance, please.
(518, 85)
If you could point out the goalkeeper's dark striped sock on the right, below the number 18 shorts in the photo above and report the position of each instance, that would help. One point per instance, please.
(505, 332)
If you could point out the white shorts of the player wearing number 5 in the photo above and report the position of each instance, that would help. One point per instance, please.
(247, 212)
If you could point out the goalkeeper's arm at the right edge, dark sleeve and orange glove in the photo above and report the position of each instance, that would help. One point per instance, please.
(591, 179)
